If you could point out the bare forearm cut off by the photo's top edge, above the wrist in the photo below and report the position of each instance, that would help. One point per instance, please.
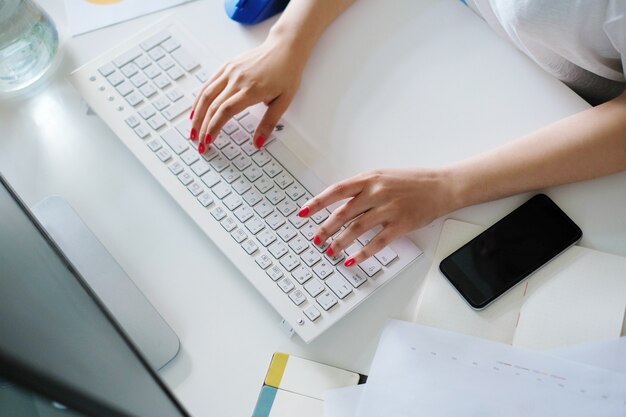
(303, 22)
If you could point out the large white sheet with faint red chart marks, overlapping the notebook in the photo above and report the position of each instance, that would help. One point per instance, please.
(423, 371)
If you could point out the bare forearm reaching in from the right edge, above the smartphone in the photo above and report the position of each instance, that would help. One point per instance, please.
(586, 145)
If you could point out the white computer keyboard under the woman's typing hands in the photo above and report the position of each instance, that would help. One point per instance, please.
(244, 199)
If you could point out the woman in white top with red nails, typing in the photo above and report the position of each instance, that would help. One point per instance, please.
(581, 42)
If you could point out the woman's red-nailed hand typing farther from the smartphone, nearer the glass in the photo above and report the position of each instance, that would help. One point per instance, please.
(269, 73)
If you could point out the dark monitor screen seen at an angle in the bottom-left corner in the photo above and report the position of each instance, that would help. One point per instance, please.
(57, 340)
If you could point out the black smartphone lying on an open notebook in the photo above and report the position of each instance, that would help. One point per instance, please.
(513, 248)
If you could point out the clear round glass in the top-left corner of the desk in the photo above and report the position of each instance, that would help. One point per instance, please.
(28, 44)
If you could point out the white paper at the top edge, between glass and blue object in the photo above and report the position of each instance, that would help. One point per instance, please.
(87, 15)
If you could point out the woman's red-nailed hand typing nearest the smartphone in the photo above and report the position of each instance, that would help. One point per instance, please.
(398, 200)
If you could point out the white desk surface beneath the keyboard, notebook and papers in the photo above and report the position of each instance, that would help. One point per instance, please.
(428, 77)
